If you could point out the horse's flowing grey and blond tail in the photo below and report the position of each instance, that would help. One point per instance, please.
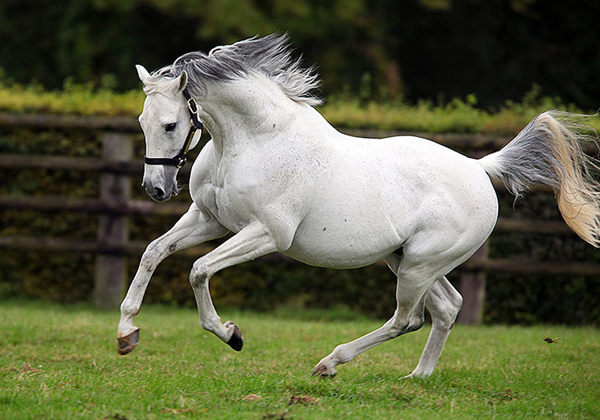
(549, 152)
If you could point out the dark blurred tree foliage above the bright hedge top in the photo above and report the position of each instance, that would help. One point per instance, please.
(496, 49)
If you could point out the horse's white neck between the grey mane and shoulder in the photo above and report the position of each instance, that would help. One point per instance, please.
(243, 113)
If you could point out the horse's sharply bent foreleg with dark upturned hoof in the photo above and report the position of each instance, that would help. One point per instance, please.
(251, 242)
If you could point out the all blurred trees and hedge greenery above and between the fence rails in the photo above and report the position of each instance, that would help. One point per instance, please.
(466, 66)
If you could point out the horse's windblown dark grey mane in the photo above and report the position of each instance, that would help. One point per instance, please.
(270, 56)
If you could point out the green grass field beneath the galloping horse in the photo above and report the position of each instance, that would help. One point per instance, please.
(61, 362)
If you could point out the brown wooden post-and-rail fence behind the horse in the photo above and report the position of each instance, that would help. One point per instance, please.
(113, 247)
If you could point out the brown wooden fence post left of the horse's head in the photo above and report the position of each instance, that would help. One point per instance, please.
(113, 229)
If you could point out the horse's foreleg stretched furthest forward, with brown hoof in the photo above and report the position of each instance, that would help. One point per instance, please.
(194, 227)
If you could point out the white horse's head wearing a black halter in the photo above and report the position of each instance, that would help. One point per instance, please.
(165, 122)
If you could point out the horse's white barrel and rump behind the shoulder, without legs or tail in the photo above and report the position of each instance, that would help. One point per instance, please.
(406, 192)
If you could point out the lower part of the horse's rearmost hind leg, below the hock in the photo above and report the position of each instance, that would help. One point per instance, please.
(443, 303)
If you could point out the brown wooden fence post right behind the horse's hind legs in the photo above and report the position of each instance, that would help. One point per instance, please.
(471, 286)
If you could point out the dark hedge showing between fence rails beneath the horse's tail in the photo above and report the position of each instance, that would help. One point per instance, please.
(534, 298)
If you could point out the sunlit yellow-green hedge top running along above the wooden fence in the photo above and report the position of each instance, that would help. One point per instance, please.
(456, 115)
